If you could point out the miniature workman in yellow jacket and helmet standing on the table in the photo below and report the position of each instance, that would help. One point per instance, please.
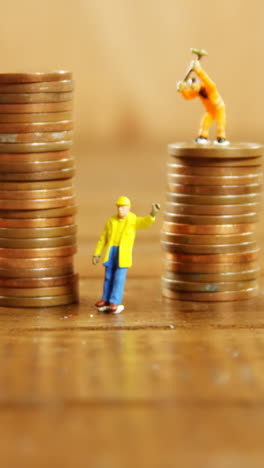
(118, 237)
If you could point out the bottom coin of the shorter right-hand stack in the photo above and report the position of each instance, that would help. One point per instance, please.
(210, 297)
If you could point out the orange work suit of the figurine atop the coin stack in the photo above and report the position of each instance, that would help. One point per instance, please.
(213, 103)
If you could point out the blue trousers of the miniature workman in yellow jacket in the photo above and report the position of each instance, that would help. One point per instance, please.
(115, 278)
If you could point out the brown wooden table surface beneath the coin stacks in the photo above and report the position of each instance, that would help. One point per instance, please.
(164, 384)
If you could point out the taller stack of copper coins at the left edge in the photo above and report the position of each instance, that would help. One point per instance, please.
(37, 202)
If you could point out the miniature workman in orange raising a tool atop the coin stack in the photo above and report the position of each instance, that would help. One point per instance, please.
(206, 90)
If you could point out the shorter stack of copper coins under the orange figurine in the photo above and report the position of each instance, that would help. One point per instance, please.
(210, 221)
